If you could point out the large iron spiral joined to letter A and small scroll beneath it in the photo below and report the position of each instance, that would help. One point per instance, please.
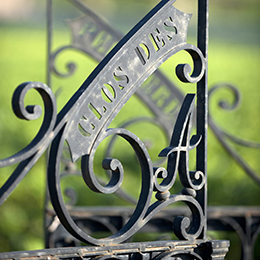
(177, 155)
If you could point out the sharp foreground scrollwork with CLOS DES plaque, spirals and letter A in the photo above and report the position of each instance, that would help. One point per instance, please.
(83, 123)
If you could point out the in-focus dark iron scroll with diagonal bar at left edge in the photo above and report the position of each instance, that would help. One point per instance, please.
(32, 152)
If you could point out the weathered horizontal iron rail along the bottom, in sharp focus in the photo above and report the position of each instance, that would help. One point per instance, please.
(152, 250)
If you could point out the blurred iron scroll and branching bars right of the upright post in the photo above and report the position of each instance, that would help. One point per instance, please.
(224, 136)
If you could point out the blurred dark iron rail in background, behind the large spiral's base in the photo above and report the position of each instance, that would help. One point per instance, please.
(111, 219)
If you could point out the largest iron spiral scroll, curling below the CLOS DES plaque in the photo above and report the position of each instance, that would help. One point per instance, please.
(112, 186)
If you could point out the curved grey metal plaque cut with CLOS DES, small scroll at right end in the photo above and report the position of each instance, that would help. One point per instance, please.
(161, 34)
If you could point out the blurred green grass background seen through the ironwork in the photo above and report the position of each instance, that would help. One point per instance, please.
(234, 57)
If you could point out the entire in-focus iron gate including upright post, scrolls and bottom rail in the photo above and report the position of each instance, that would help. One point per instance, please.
(195, 188)
